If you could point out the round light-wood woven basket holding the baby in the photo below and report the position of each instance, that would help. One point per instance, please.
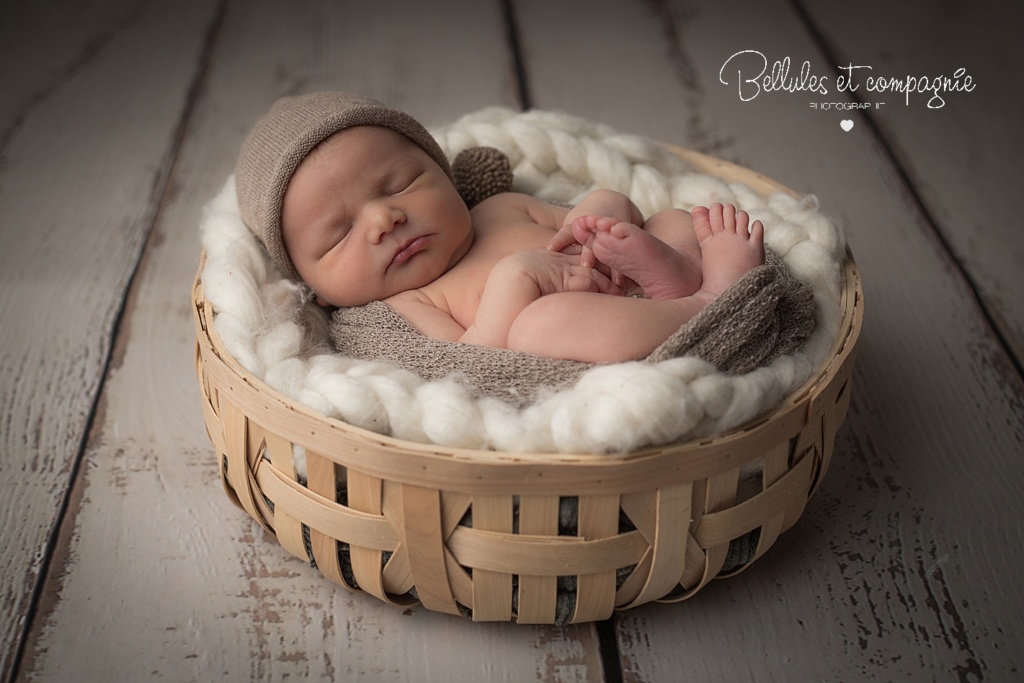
(486, 534)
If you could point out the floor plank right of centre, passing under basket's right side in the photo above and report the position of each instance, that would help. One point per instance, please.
(906, 562)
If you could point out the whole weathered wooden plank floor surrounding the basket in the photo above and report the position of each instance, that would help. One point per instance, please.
(121, 559)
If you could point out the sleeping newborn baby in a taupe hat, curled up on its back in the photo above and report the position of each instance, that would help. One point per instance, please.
(358, 202)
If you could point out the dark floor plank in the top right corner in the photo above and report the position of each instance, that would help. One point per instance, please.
(967, 181)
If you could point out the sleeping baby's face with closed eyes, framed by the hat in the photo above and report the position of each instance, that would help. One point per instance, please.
(369, 215)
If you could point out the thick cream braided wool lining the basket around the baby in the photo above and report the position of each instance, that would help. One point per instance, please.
(277, 335)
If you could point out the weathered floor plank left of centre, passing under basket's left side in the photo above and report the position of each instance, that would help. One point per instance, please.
(160, 575)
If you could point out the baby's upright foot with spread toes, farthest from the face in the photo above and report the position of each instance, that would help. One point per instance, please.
(729, 248)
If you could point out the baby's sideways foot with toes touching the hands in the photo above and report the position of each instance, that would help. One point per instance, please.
(661, 272)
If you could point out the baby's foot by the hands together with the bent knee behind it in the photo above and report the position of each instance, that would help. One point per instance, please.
(663, 258)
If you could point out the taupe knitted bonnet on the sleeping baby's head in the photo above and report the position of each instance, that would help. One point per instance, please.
(283, 139)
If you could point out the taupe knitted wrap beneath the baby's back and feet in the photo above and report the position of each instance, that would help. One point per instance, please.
(763, 316)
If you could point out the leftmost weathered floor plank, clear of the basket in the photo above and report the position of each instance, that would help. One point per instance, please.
(82, 162)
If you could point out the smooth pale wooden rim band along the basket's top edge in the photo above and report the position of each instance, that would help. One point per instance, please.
(389, 456)
